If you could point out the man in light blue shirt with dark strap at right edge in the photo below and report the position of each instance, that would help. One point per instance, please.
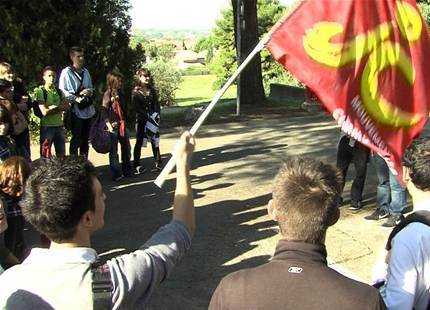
(407, 274)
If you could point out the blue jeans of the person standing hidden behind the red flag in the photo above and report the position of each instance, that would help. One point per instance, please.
(390, 194)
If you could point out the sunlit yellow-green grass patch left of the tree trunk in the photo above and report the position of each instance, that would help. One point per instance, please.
(196, 89)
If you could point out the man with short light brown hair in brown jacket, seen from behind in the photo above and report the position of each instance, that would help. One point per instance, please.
(305, 203)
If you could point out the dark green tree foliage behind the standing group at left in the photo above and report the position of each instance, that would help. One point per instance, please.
(37, 33)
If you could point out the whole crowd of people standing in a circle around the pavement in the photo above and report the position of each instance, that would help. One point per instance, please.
(307, 193)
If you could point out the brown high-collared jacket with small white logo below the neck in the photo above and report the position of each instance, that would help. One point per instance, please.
(296, 278)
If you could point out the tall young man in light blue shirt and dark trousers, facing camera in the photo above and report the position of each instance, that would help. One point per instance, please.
(75, 82)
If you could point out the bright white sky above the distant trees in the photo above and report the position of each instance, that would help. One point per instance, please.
(177, 14)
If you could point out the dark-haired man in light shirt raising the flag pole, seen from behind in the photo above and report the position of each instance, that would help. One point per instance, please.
(61, 277)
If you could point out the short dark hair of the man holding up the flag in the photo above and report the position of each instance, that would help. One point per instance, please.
(57, 194)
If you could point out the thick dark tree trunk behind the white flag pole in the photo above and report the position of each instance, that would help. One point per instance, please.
(250, 83)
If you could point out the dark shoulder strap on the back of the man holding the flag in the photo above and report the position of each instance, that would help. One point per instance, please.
(101, 286)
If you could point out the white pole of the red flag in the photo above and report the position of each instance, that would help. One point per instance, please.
(159, 181)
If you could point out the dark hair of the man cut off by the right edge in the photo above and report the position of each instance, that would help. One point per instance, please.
(417, 159)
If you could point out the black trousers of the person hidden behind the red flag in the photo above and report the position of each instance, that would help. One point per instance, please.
(359, 156)
